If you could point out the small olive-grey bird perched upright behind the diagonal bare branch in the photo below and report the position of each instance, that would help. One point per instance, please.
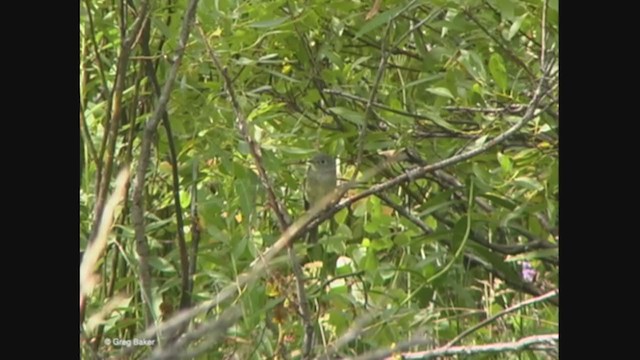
(320, 181)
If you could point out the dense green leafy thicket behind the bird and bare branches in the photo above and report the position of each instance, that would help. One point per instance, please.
(423, 260)
